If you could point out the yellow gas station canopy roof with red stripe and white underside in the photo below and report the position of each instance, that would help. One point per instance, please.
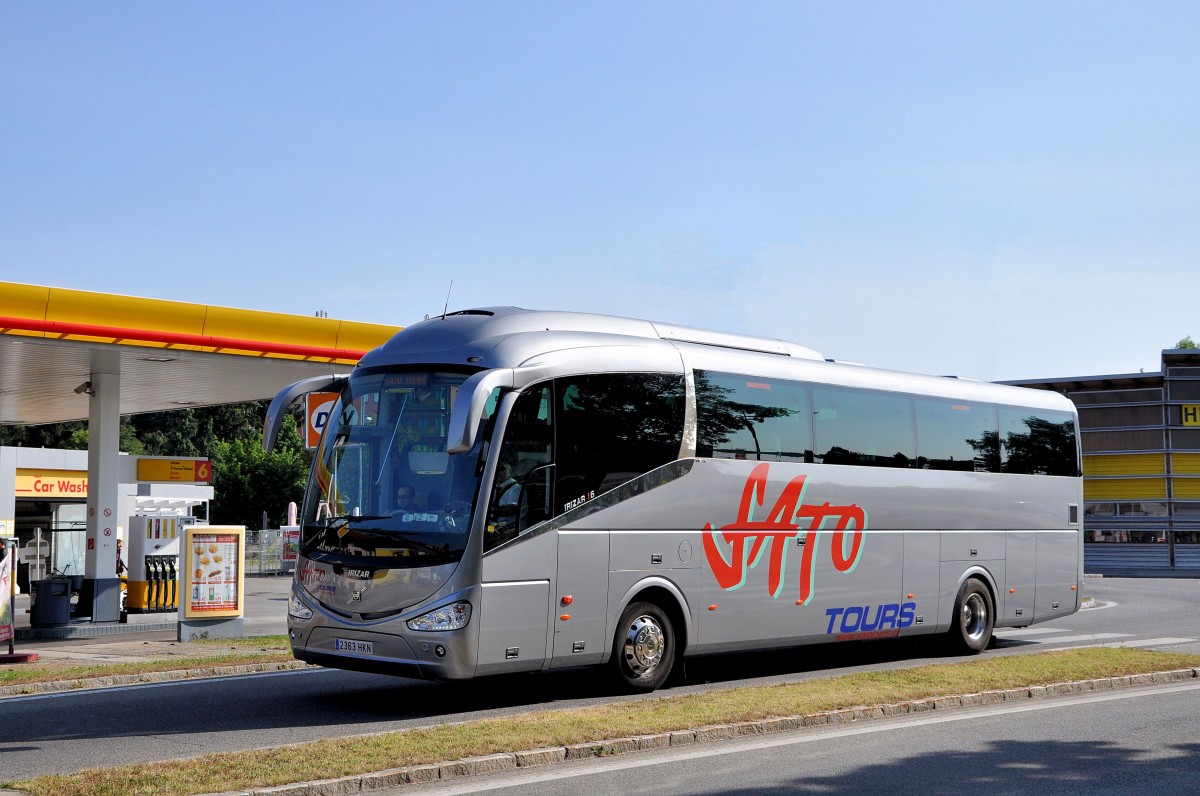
(170, 355)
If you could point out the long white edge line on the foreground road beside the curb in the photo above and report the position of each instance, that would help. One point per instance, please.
(656, 758)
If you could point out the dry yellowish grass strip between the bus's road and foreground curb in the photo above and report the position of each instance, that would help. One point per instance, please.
(345, 757)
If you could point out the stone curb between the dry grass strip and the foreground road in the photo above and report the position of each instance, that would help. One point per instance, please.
(551, 756)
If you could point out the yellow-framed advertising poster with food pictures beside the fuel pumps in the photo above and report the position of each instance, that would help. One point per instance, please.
(214, 572)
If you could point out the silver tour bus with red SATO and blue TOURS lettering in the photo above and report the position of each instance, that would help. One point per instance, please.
(505, 490)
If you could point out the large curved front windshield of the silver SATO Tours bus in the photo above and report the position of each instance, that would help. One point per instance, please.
(383, 487)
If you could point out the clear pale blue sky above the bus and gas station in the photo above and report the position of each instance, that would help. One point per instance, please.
(993, 190)
